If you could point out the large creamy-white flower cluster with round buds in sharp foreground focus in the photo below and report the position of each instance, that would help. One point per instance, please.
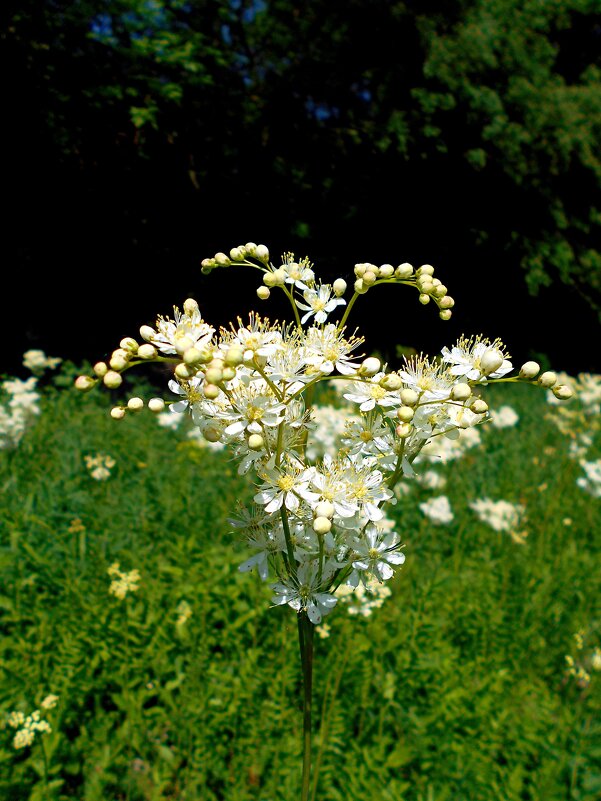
(316, 522)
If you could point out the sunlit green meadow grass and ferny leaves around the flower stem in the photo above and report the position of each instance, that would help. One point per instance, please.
(456, 689)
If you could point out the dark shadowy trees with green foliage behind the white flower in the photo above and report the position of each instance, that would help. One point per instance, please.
(143, 137)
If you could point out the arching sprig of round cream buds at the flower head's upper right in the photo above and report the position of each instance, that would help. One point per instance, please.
(429, 288)
